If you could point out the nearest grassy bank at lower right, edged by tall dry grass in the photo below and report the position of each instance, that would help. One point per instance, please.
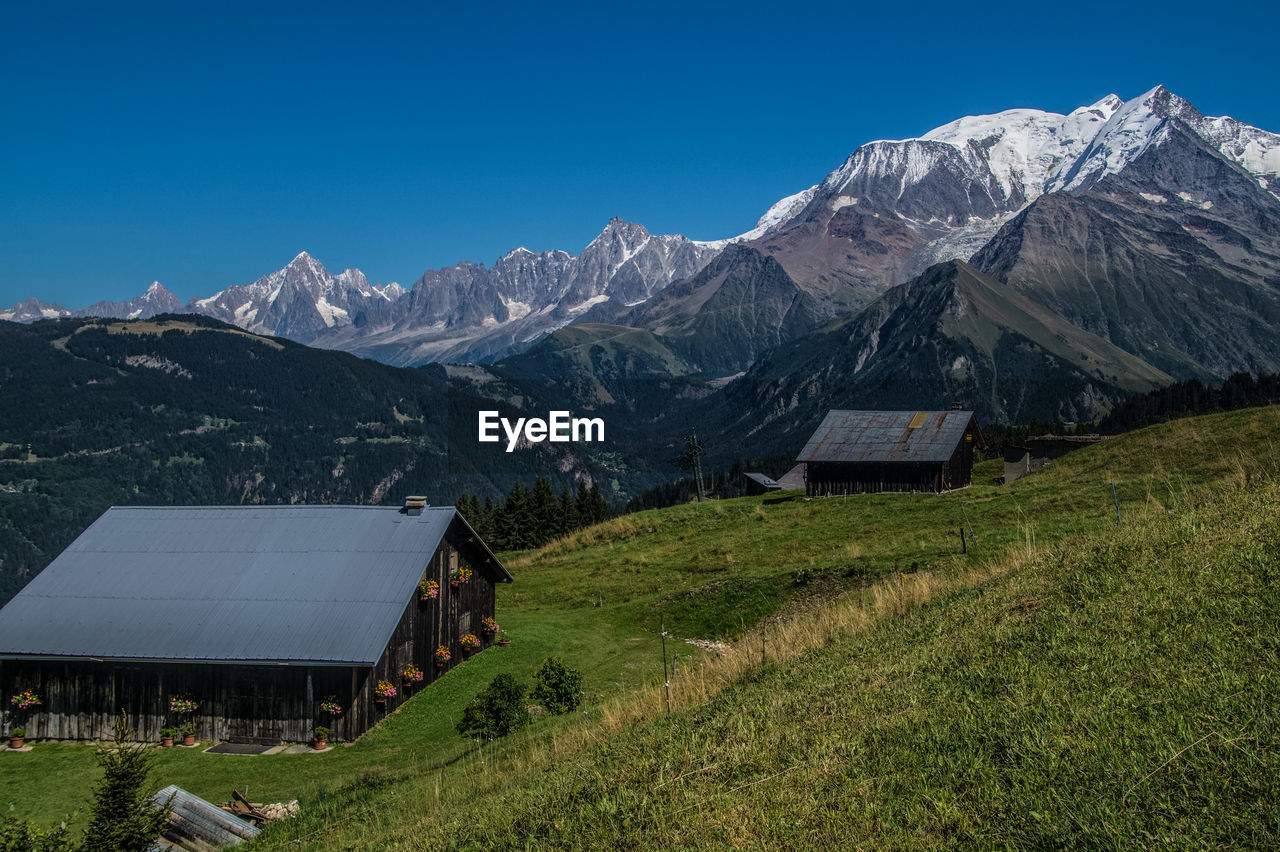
(961, 703)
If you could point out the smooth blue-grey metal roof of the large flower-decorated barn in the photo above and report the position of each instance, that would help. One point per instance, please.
(318, 584)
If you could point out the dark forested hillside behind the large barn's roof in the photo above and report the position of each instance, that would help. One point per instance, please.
(190, 411)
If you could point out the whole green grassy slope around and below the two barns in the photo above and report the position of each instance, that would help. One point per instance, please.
(1014, 690)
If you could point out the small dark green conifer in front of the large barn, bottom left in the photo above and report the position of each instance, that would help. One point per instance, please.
(124, 818)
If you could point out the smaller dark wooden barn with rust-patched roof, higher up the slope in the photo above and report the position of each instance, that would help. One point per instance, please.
(870, 452)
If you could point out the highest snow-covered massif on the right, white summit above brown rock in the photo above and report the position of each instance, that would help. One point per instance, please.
(894, 208)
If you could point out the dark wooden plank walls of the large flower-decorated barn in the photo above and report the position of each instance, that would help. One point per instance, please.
(253, 703)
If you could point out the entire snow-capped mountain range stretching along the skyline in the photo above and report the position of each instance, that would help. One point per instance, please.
(890, 210)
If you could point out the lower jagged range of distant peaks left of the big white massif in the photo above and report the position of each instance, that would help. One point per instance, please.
(464, 313)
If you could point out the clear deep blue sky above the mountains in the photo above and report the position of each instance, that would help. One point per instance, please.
(207, 144)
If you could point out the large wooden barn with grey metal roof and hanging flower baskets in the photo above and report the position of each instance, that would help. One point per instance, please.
(257, 615)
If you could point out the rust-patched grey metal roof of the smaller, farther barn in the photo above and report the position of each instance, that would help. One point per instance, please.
(886, 437)
